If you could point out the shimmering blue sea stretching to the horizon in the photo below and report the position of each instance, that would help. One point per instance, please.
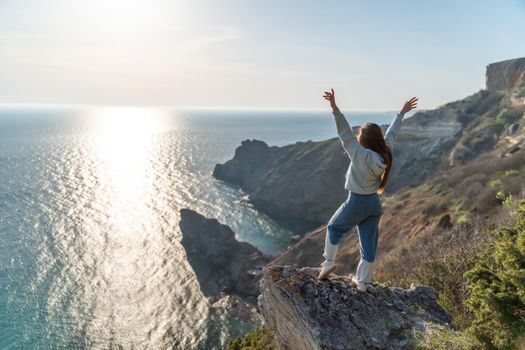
(90, 252)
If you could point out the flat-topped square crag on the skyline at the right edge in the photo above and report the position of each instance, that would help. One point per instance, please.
(505, 75)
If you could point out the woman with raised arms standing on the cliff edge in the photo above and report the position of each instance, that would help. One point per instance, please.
(370, 163)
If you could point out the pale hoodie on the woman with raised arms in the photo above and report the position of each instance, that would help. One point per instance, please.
(366, 166)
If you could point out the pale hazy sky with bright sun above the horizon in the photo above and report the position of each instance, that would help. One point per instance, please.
(252, 54)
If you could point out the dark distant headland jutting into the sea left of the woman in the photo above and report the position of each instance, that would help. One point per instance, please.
(298, 185)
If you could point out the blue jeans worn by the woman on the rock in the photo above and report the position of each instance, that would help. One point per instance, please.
(363, 210)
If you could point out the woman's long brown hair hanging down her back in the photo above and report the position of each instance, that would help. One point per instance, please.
(371, 137)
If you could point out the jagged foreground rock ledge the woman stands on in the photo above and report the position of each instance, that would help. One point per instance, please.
(309, 314)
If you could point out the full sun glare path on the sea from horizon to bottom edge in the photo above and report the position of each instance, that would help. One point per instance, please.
(130, 287)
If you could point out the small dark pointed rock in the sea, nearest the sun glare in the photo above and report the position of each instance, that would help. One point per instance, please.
(222, 264)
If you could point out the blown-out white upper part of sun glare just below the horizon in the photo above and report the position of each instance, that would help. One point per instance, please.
(124, 152)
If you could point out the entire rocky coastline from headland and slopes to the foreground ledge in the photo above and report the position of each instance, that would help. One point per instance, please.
(446, 160)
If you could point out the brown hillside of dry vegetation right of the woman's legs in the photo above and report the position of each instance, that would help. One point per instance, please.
(460, 206)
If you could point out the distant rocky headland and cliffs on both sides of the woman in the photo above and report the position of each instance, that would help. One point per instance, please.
(301, 185)
